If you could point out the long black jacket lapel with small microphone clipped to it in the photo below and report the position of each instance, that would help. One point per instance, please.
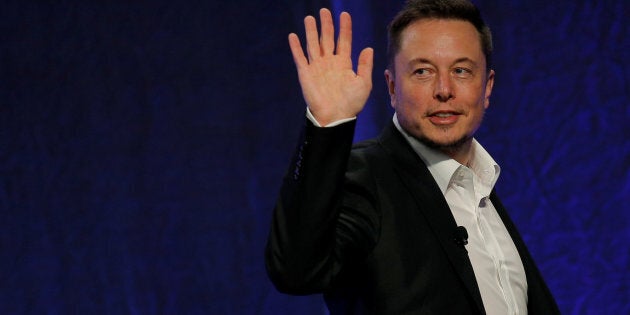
(417, 178)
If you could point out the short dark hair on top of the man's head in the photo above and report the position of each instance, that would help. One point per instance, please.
(415, 10)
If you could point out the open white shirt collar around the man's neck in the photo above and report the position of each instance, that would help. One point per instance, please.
(442, 167)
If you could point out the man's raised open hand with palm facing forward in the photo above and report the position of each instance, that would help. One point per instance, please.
(331, 88)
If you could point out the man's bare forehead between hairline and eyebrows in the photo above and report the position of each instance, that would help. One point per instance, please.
(444, 38)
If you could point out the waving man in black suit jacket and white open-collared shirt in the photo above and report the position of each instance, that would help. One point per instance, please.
(407, 223)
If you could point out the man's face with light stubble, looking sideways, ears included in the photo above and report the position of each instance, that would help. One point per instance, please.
(440, 88)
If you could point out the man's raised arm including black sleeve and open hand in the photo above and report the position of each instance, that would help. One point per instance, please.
(308, 236)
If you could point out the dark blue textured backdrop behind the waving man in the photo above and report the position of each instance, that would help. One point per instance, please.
(142, 146)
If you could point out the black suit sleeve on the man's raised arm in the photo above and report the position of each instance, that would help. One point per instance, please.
(314, 229)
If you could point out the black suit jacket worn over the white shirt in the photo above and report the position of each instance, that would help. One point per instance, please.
(369, 227)
